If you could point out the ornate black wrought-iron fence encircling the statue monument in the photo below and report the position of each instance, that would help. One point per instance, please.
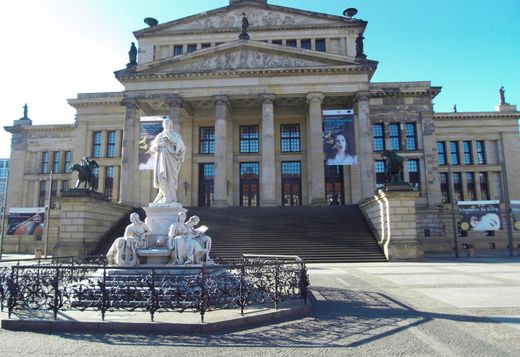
(90, 284)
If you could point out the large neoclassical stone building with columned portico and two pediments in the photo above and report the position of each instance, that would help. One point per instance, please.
(246, 86)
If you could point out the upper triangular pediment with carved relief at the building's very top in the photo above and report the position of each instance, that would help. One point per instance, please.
(259, 16)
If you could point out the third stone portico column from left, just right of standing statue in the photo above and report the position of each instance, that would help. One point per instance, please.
(220, 184)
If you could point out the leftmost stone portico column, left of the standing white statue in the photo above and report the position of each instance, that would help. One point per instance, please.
(129, 152)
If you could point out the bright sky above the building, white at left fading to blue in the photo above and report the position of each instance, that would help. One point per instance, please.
(54, 49)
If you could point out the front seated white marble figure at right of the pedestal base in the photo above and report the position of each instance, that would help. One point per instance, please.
(185, 249)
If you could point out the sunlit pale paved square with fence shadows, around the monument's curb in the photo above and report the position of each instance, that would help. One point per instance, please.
(468, 307)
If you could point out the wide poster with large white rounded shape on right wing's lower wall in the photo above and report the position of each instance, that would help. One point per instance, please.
(479, 215)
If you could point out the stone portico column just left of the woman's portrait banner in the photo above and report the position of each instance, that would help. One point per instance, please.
(316, 173)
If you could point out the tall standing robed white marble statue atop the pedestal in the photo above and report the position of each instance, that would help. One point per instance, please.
(169, 153)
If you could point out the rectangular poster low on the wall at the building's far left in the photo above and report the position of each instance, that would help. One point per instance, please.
(26, 222)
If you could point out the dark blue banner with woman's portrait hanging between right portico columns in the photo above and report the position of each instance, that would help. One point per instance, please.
(339, 137)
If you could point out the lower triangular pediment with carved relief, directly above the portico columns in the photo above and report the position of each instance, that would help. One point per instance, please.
(245, 55)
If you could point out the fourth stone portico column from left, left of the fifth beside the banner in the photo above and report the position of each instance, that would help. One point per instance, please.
(268, 170)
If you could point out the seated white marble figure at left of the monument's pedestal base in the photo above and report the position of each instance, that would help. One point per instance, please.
(123, 250)
